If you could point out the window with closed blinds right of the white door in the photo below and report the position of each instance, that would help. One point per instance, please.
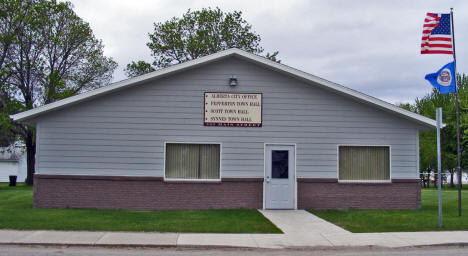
(364, 163)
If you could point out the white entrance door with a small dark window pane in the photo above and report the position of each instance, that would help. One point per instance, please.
(280, 177)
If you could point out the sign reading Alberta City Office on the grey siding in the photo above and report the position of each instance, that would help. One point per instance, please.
(233, 109)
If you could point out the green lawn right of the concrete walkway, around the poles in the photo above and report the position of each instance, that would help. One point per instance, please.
(405, 220)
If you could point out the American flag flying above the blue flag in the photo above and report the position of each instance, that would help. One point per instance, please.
(437, 36)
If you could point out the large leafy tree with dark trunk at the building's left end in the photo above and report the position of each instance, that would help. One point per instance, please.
(52, 54)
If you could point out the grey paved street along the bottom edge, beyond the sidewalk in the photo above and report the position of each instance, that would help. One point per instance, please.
(82, 251)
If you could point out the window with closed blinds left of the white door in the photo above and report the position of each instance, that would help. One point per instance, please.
(192, 161)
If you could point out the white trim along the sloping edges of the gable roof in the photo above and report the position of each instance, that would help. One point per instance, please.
(30, 114)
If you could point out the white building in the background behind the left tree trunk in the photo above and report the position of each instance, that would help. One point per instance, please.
(13, 162)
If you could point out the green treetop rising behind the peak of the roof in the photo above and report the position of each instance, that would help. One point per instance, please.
(197, 34)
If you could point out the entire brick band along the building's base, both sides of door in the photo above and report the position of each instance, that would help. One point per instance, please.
(152, 193)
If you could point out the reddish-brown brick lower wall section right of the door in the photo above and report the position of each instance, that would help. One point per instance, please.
(329, 194)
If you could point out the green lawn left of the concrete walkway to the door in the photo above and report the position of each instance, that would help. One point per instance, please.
(16, 212)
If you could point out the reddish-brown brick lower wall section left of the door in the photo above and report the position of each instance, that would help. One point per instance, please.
(144, 193)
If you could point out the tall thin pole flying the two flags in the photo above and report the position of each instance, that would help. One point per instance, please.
(458, 117)
